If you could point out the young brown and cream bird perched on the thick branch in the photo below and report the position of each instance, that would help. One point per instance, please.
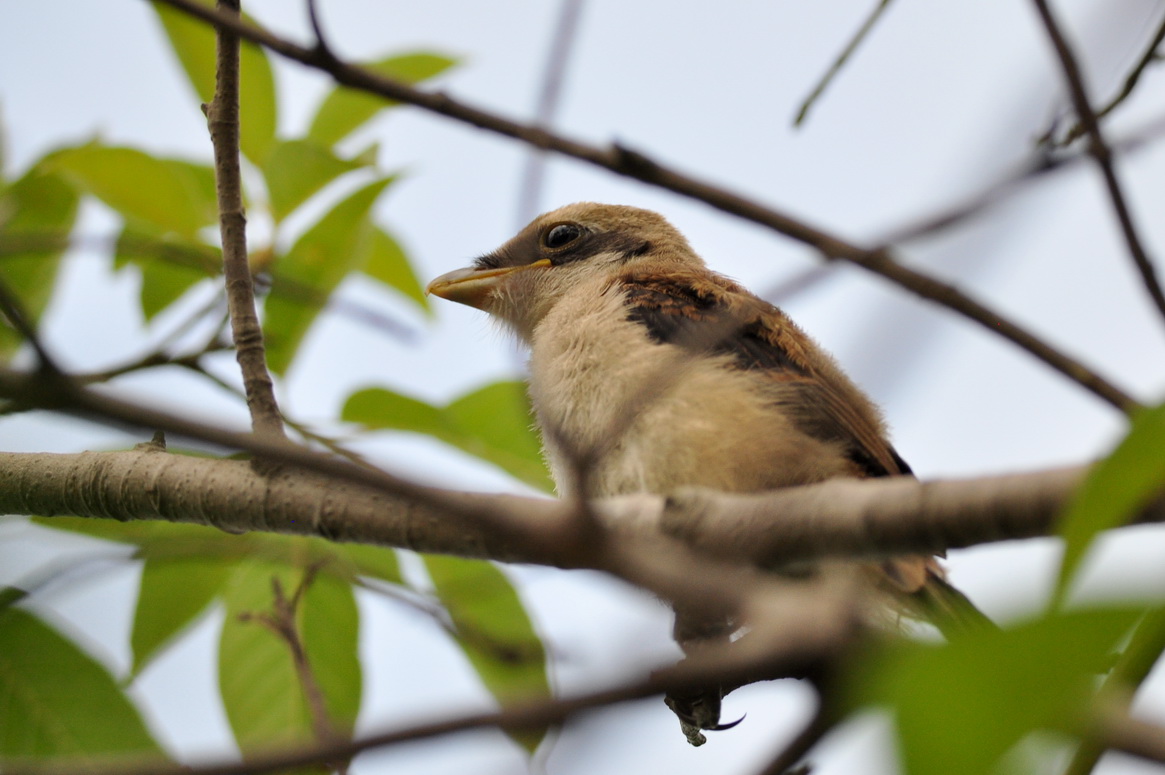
(651, 372)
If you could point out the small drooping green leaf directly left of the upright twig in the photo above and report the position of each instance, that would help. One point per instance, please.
(171, 265)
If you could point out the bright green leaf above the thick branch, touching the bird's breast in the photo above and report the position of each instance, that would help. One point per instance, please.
(493, 424)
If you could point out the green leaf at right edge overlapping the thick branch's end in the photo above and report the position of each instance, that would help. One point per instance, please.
(1115, 490)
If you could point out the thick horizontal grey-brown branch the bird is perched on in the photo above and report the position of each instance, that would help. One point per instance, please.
(841, 518)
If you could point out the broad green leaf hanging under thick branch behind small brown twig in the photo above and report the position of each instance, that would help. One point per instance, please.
(262, 688)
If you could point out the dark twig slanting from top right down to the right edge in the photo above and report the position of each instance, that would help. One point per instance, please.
(1100, 151)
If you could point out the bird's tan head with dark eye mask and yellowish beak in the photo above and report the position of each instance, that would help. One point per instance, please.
(561, 251)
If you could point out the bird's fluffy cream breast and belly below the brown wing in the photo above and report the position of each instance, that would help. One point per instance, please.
(653, 418)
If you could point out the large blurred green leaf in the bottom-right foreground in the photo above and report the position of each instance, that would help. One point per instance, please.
(959, 708)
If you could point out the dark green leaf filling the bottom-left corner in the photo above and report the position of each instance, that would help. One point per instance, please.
(57, 701)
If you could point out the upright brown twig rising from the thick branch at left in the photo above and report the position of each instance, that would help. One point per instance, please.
(223, 119)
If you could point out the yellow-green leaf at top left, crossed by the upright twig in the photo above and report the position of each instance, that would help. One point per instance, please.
(195, 46)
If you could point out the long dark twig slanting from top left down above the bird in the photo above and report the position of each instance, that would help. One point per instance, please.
(636, 166)
